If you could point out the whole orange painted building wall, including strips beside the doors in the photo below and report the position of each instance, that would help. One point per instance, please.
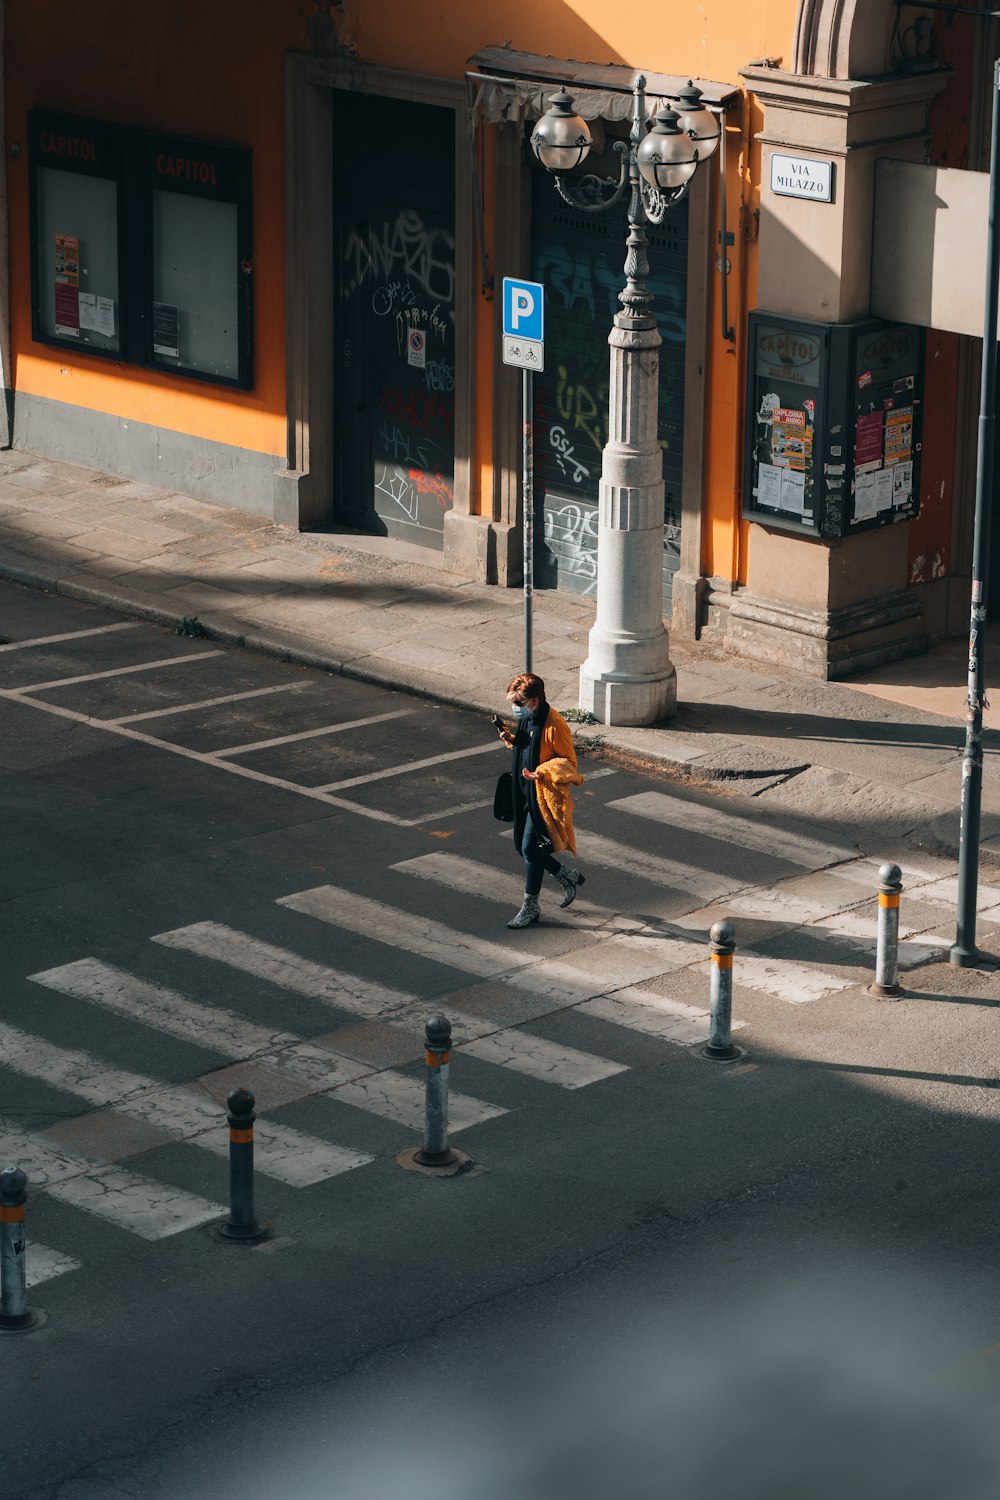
(217, 71)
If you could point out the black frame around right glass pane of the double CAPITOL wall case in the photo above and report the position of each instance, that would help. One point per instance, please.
(220, 173)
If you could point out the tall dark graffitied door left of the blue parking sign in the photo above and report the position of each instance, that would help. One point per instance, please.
(394, 358)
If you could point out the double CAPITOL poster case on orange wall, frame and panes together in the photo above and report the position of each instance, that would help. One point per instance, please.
(142, 248)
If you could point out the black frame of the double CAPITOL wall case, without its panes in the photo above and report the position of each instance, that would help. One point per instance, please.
(221, 172)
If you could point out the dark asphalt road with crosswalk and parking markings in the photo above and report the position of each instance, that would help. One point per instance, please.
(223, 869)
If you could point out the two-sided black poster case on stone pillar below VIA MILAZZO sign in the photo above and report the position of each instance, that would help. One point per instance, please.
(833, 424)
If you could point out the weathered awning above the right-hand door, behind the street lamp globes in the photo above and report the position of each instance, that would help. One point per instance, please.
(512, 88)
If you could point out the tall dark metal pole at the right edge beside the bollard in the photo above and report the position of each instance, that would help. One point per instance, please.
(965, 952)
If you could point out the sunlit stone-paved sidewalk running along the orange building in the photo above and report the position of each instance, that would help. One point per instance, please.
(866, 755)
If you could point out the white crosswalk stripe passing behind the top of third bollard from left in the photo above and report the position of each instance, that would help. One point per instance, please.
(528, 1055)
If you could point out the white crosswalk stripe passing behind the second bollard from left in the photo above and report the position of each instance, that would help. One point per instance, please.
(179, 1112)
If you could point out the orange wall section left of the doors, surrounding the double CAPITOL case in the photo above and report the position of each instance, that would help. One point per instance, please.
(212, 71)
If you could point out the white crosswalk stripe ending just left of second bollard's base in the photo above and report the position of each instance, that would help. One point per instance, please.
(125, 1199)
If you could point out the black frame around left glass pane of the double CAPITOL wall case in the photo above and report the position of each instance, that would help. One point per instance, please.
(86, 149)
